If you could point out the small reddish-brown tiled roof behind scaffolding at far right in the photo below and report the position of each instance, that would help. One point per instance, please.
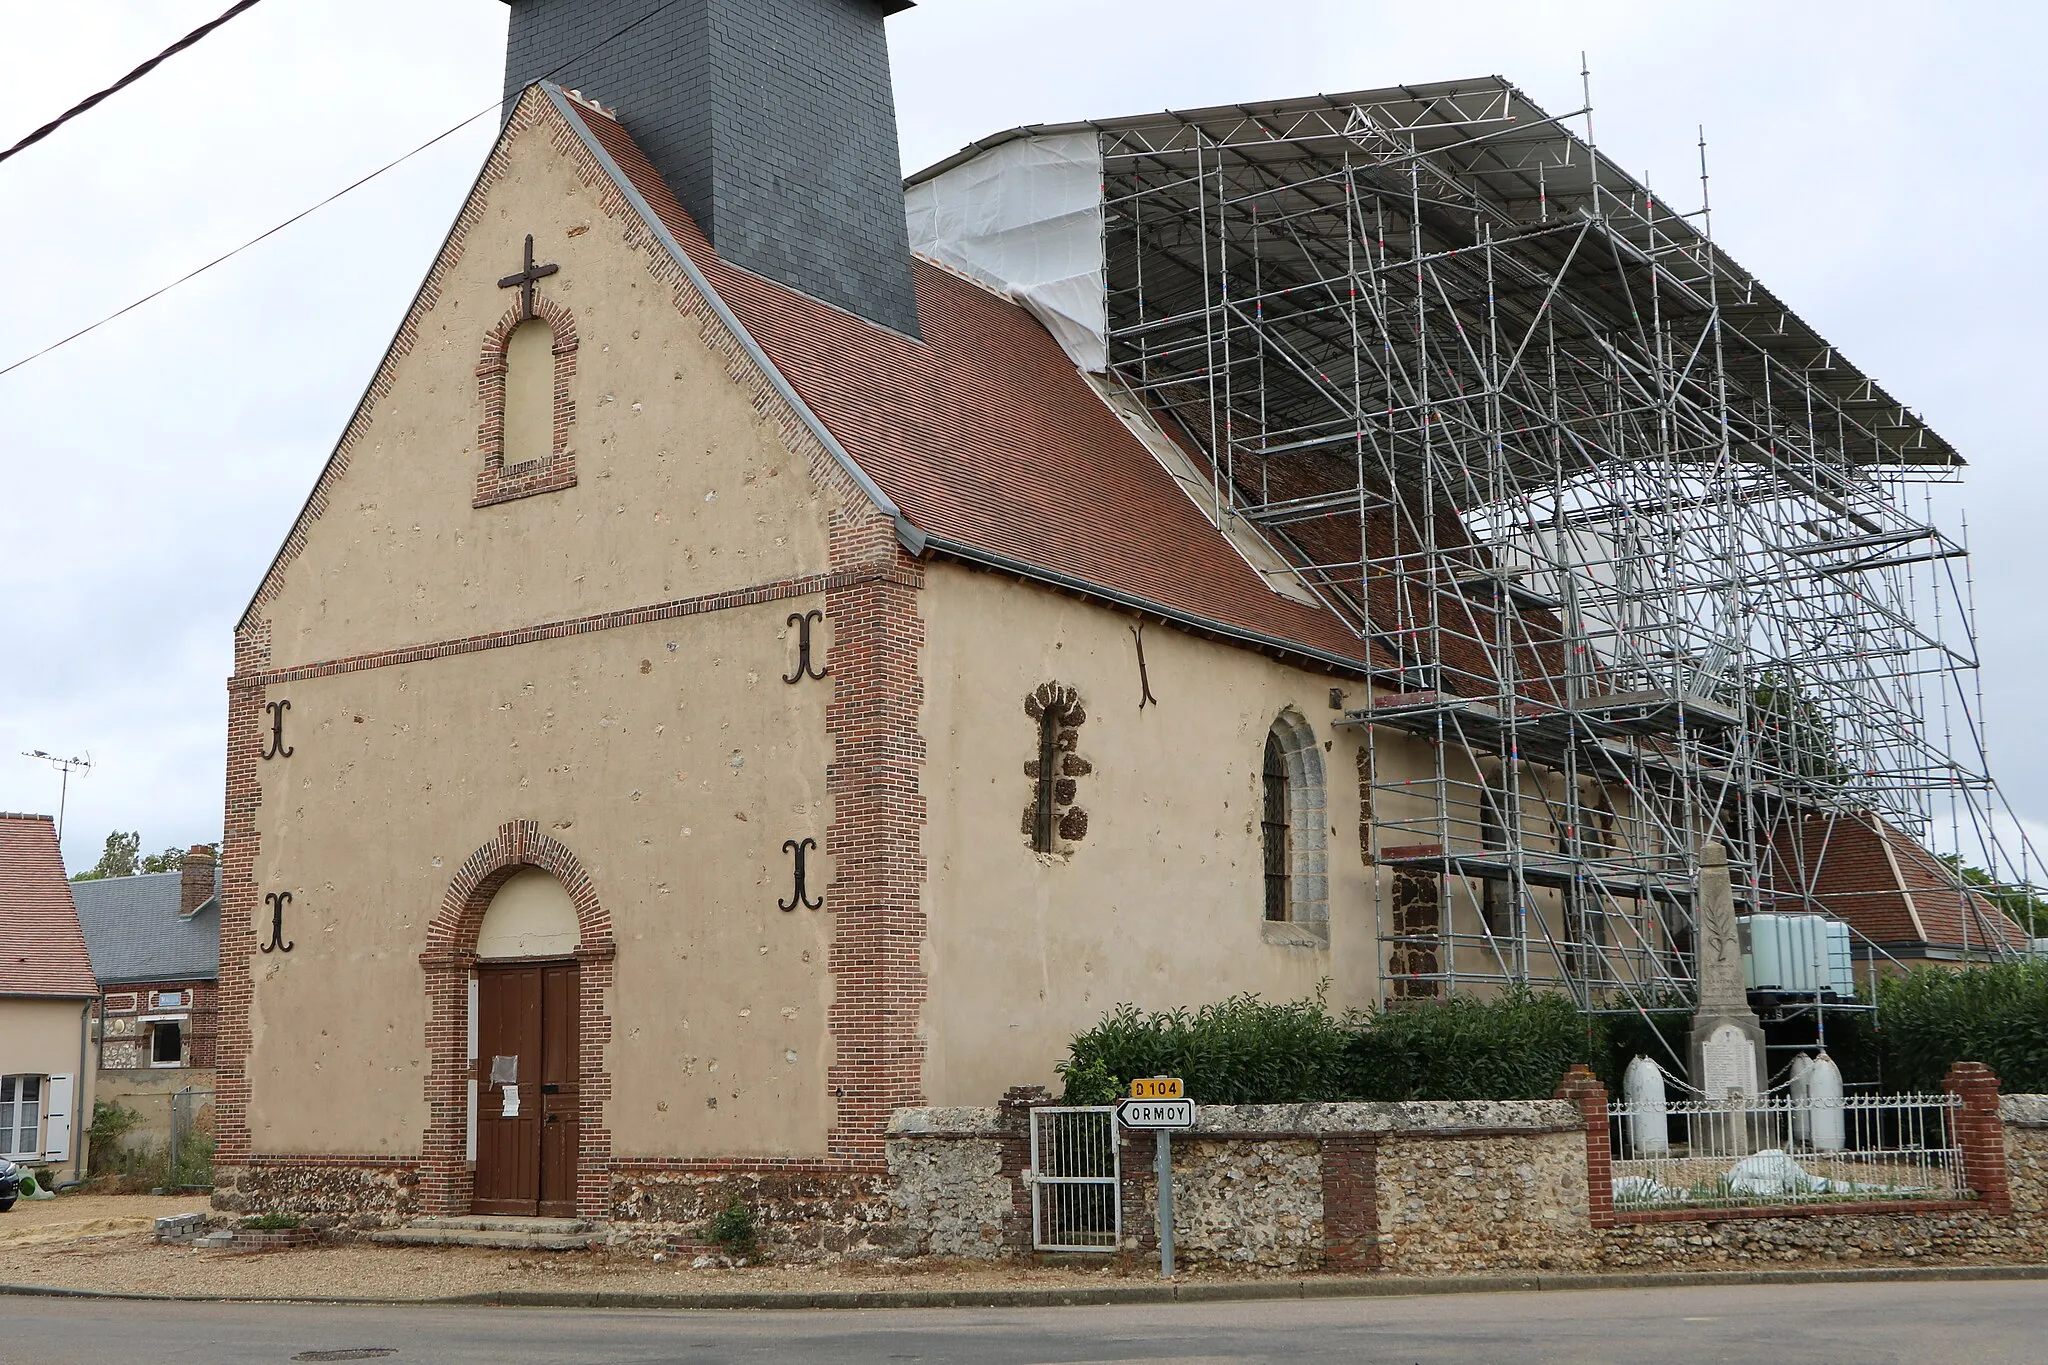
(1889, 887)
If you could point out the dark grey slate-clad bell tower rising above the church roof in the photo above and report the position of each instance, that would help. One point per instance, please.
(773, 122)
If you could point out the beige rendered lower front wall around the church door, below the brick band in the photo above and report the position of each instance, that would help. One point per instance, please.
(673, 760)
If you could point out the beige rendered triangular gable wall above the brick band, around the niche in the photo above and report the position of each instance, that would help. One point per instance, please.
(681, 486)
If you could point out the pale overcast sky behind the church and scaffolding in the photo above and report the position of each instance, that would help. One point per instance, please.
(1873, 163)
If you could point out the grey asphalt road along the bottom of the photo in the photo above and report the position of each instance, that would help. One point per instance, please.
(1795, 1325)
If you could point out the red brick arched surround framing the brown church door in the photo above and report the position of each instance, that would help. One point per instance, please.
(452, 942)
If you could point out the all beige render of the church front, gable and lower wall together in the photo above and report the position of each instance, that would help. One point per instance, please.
(669, 756)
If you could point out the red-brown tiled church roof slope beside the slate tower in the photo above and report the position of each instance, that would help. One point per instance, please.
(990, 439)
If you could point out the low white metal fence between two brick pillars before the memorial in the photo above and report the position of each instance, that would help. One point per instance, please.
(1787, 1151)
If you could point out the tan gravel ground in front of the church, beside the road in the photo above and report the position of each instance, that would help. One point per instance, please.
(108, 1243)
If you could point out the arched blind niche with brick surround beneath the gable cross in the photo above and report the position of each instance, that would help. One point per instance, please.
(523, 382)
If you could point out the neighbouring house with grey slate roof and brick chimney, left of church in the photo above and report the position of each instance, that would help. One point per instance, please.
(157, 953)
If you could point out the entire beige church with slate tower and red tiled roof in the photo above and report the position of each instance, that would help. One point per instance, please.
(757, 662)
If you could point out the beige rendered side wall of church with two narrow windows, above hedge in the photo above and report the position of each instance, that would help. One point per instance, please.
(1160, 904)
